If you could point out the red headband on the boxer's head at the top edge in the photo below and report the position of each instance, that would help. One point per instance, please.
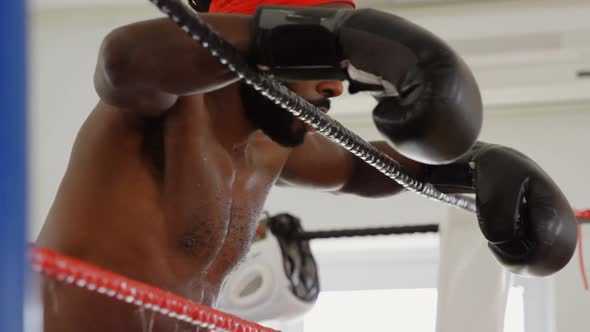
(248, 7)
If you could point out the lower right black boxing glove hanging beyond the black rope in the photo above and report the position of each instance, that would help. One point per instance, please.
(530, 226)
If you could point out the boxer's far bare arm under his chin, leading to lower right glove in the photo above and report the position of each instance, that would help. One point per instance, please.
(323, 165)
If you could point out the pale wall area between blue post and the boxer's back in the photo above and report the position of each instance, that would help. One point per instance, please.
(63, 52)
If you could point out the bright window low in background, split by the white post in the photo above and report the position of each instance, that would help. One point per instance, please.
(392, 287)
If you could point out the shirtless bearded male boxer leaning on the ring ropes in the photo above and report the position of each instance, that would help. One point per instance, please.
(171, 170)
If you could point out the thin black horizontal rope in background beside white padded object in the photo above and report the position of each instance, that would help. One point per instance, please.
(394, 230)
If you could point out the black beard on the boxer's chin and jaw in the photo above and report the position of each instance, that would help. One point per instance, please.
(274, 121)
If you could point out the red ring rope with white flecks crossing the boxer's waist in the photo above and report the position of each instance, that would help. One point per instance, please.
(92, 278)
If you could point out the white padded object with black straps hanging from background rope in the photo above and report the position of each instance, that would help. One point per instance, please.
(278, 279)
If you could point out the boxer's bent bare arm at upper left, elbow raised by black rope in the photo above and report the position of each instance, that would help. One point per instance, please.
(144, 67)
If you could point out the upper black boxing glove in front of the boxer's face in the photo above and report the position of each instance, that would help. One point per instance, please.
(429, 106)
